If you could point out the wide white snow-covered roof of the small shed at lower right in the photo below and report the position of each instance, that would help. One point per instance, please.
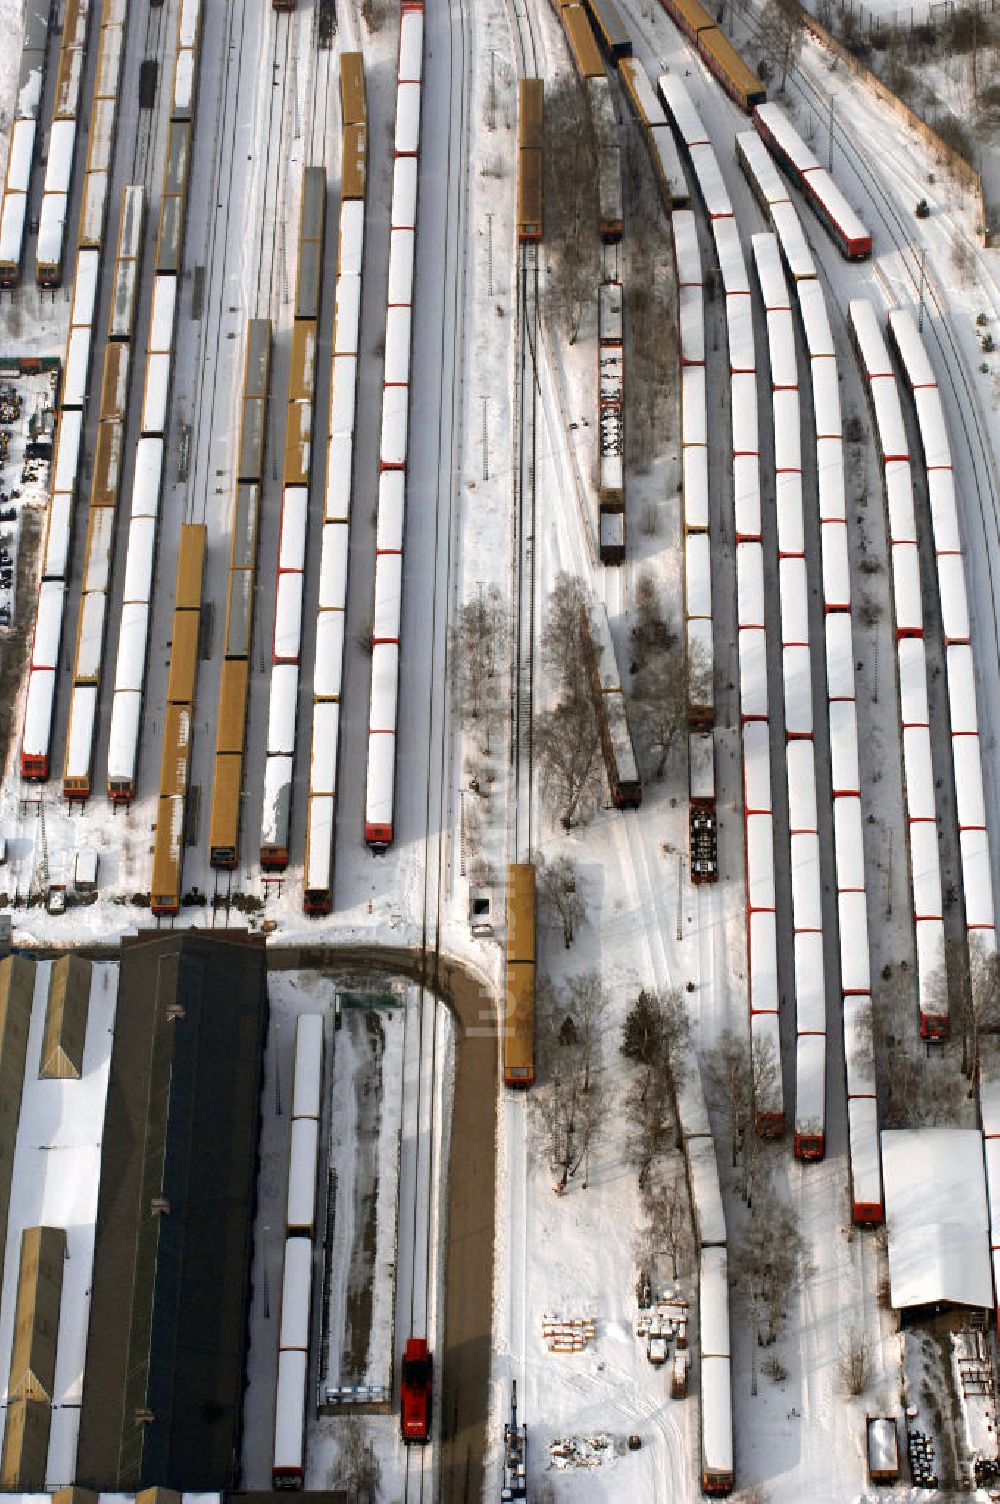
(936, 1216)
